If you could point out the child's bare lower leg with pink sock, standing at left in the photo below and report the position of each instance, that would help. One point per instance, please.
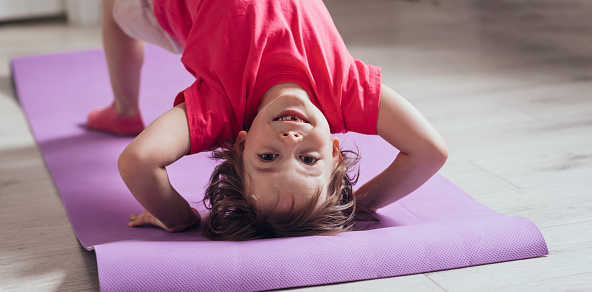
(125, 57)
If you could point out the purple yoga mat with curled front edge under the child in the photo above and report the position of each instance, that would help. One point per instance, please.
(437, 227)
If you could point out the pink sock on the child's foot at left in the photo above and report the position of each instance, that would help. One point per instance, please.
(107, 120)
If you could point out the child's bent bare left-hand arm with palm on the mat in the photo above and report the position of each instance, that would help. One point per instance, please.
(142, 168)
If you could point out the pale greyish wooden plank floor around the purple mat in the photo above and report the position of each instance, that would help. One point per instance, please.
(508, 83)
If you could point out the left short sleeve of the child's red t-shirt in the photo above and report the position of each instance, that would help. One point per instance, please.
(209, 117)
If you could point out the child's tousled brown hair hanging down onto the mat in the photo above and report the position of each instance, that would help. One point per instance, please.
(233, 216)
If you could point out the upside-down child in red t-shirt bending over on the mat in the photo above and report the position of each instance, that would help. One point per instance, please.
(274, 77)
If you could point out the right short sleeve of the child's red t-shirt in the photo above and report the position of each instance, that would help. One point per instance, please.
(361, 98)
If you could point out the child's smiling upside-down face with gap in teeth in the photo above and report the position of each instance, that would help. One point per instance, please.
(288, 152)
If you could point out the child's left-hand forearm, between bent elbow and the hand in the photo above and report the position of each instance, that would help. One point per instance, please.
(150, 185)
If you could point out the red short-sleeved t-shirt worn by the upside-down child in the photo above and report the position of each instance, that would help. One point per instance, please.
(238, 49)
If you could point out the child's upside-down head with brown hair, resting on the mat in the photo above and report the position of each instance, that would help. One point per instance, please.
(285, 177)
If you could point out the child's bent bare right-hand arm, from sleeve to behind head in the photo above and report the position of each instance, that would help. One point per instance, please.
(423, 151)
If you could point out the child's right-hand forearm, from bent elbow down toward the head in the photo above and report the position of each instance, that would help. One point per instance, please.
(403, 176)
